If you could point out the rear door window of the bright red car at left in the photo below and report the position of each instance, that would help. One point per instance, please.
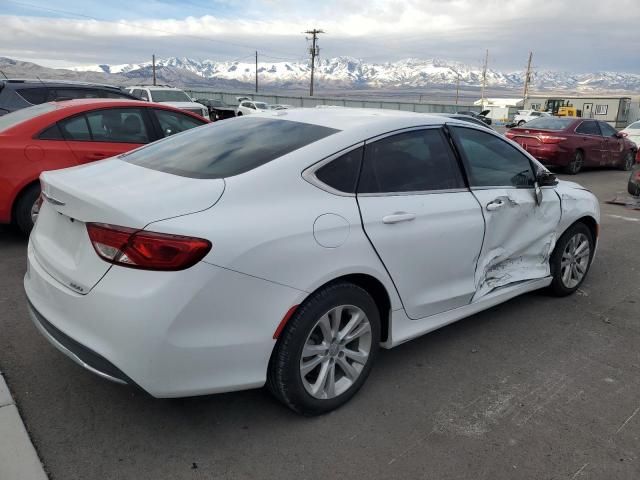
(118, 125)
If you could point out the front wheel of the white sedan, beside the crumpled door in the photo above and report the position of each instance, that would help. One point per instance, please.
(571, 260)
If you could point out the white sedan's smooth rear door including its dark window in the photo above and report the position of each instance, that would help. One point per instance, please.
(423, 222)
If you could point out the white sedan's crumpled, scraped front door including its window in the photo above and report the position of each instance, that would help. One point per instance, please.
(519, 233)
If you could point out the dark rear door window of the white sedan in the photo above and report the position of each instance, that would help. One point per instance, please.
(420, 160)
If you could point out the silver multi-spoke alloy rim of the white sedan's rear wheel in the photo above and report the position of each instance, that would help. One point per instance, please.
(335, 352)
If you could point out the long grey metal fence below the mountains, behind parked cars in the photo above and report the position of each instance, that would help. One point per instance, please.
(310, 102)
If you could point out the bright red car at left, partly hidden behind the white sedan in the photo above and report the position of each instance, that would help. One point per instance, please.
(65, 134)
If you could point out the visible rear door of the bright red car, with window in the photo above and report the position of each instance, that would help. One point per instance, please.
(106, 132)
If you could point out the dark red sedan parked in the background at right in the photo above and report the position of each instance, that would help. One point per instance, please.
(573, 143)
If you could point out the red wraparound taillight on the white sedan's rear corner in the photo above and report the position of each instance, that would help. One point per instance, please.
(133, 248)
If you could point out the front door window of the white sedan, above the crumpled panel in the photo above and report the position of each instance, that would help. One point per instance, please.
(491, 161)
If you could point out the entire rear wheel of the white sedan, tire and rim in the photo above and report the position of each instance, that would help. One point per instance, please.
(327, 349)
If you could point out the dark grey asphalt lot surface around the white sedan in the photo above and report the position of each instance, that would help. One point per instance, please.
(537, 388)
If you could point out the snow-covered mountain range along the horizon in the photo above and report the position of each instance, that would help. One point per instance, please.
(347, 72)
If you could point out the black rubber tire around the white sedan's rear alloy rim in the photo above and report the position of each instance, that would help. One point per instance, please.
(284, 375)
